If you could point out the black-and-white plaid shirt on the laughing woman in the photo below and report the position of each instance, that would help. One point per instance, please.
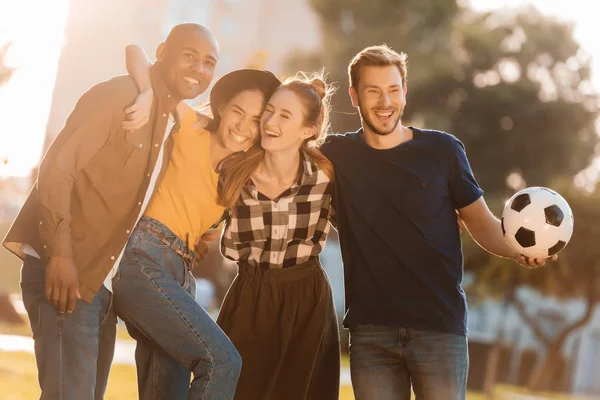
(283, 232)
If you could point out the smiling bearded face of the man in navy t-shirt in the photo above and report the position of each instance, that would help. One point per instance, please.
(380, 98)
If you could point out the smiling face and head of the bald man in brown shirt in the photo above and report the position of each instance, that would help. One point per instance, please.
(187, 61)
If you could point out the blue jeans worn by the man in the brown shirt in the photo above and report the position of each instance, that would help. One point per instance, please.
(73, 351)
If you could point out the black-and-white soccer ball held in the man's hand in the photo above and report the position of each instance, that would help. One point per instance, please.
(537, 222)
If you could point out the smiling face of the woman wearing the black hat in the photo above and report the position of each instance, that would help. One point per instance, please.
(240, 120)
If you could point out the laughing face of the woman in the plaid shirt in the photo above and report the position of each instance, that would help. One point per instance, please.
(283, 122)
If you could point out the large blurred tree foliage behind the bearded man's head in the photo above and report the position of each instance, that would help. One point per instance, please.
(514, 87)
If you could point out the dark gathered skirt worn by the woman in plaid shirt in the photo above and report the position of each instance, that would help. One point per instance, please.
(283, 323)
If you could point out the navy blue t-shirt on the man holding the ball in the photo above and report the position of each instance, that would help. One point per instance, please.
(400, 241)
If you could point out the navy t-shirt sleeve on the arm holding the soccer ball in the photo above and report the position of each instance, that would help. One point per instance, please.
(464, 188)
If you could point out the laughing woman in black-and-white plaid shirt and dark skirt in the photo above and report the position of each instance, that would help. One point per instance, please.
(279, 311)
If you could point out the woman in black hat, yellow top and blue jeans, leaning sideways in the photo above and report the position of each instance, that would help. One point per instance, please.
(154, 289)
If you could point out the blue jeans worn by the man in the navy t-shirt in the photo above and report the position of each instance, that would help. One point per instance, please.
(385, 361)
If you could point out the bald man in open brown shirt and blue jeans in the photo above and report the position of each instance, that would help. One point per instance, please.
(93, 184)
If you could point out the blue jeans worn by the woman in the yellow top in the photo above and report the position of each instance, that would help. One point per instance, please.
(154, 294)
